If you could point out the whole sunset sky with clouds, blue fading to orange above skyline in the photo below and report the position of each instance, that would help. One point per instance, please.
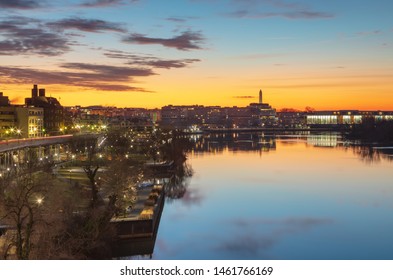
(149, 53)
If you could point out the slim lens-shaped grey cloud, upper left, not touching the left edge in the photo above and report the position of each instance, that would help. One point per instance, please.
(87, 25)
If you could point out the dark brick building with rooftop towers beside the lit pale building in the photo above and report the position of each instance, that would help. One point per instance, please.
(53, 111)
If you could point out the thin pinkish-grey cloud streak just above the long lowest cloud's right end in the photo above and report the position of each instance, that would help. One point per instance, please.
(152, 61)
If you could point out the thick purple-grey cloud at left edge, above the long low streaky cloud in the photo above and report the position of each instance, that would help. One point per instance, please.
(20, 38)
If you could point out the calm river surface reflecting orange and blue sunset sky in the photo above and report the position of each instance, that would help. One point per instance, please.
(307, 197)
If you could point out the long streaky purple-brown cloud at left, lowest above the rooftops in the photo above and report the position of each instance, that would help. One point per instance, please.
(100, 77)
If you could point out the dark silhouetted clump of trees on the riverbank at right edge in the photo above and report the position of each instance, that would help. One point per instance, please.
(373, 131)
